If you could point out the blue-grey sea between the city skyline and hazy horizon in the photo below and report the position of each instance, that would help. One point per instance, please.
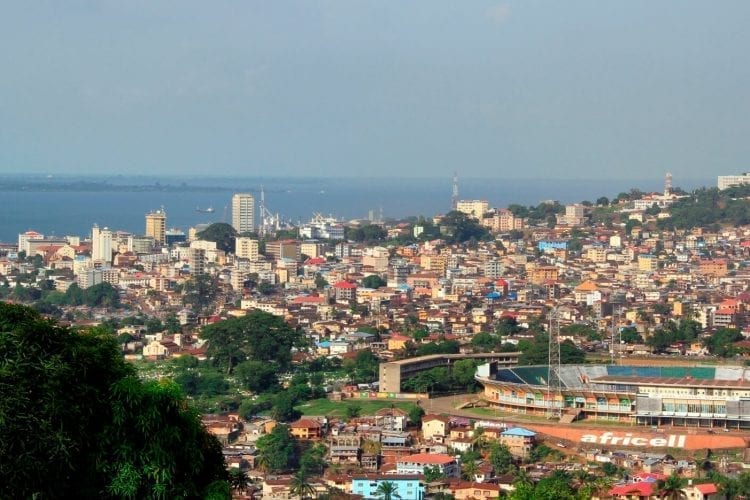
(53, 211)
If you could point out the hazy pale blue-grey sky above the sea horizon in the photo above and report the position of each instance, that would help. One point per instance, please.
(518, 89)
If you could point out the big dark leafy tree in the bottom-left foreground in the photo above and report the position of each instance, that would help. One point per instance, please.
(106, 435)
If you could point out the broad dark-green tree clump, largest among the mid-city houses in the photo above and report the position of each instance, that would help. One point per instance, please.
(257, 336)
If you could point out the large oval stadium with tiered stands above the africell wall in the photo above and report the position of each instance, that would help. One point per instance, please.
(697, 396)
